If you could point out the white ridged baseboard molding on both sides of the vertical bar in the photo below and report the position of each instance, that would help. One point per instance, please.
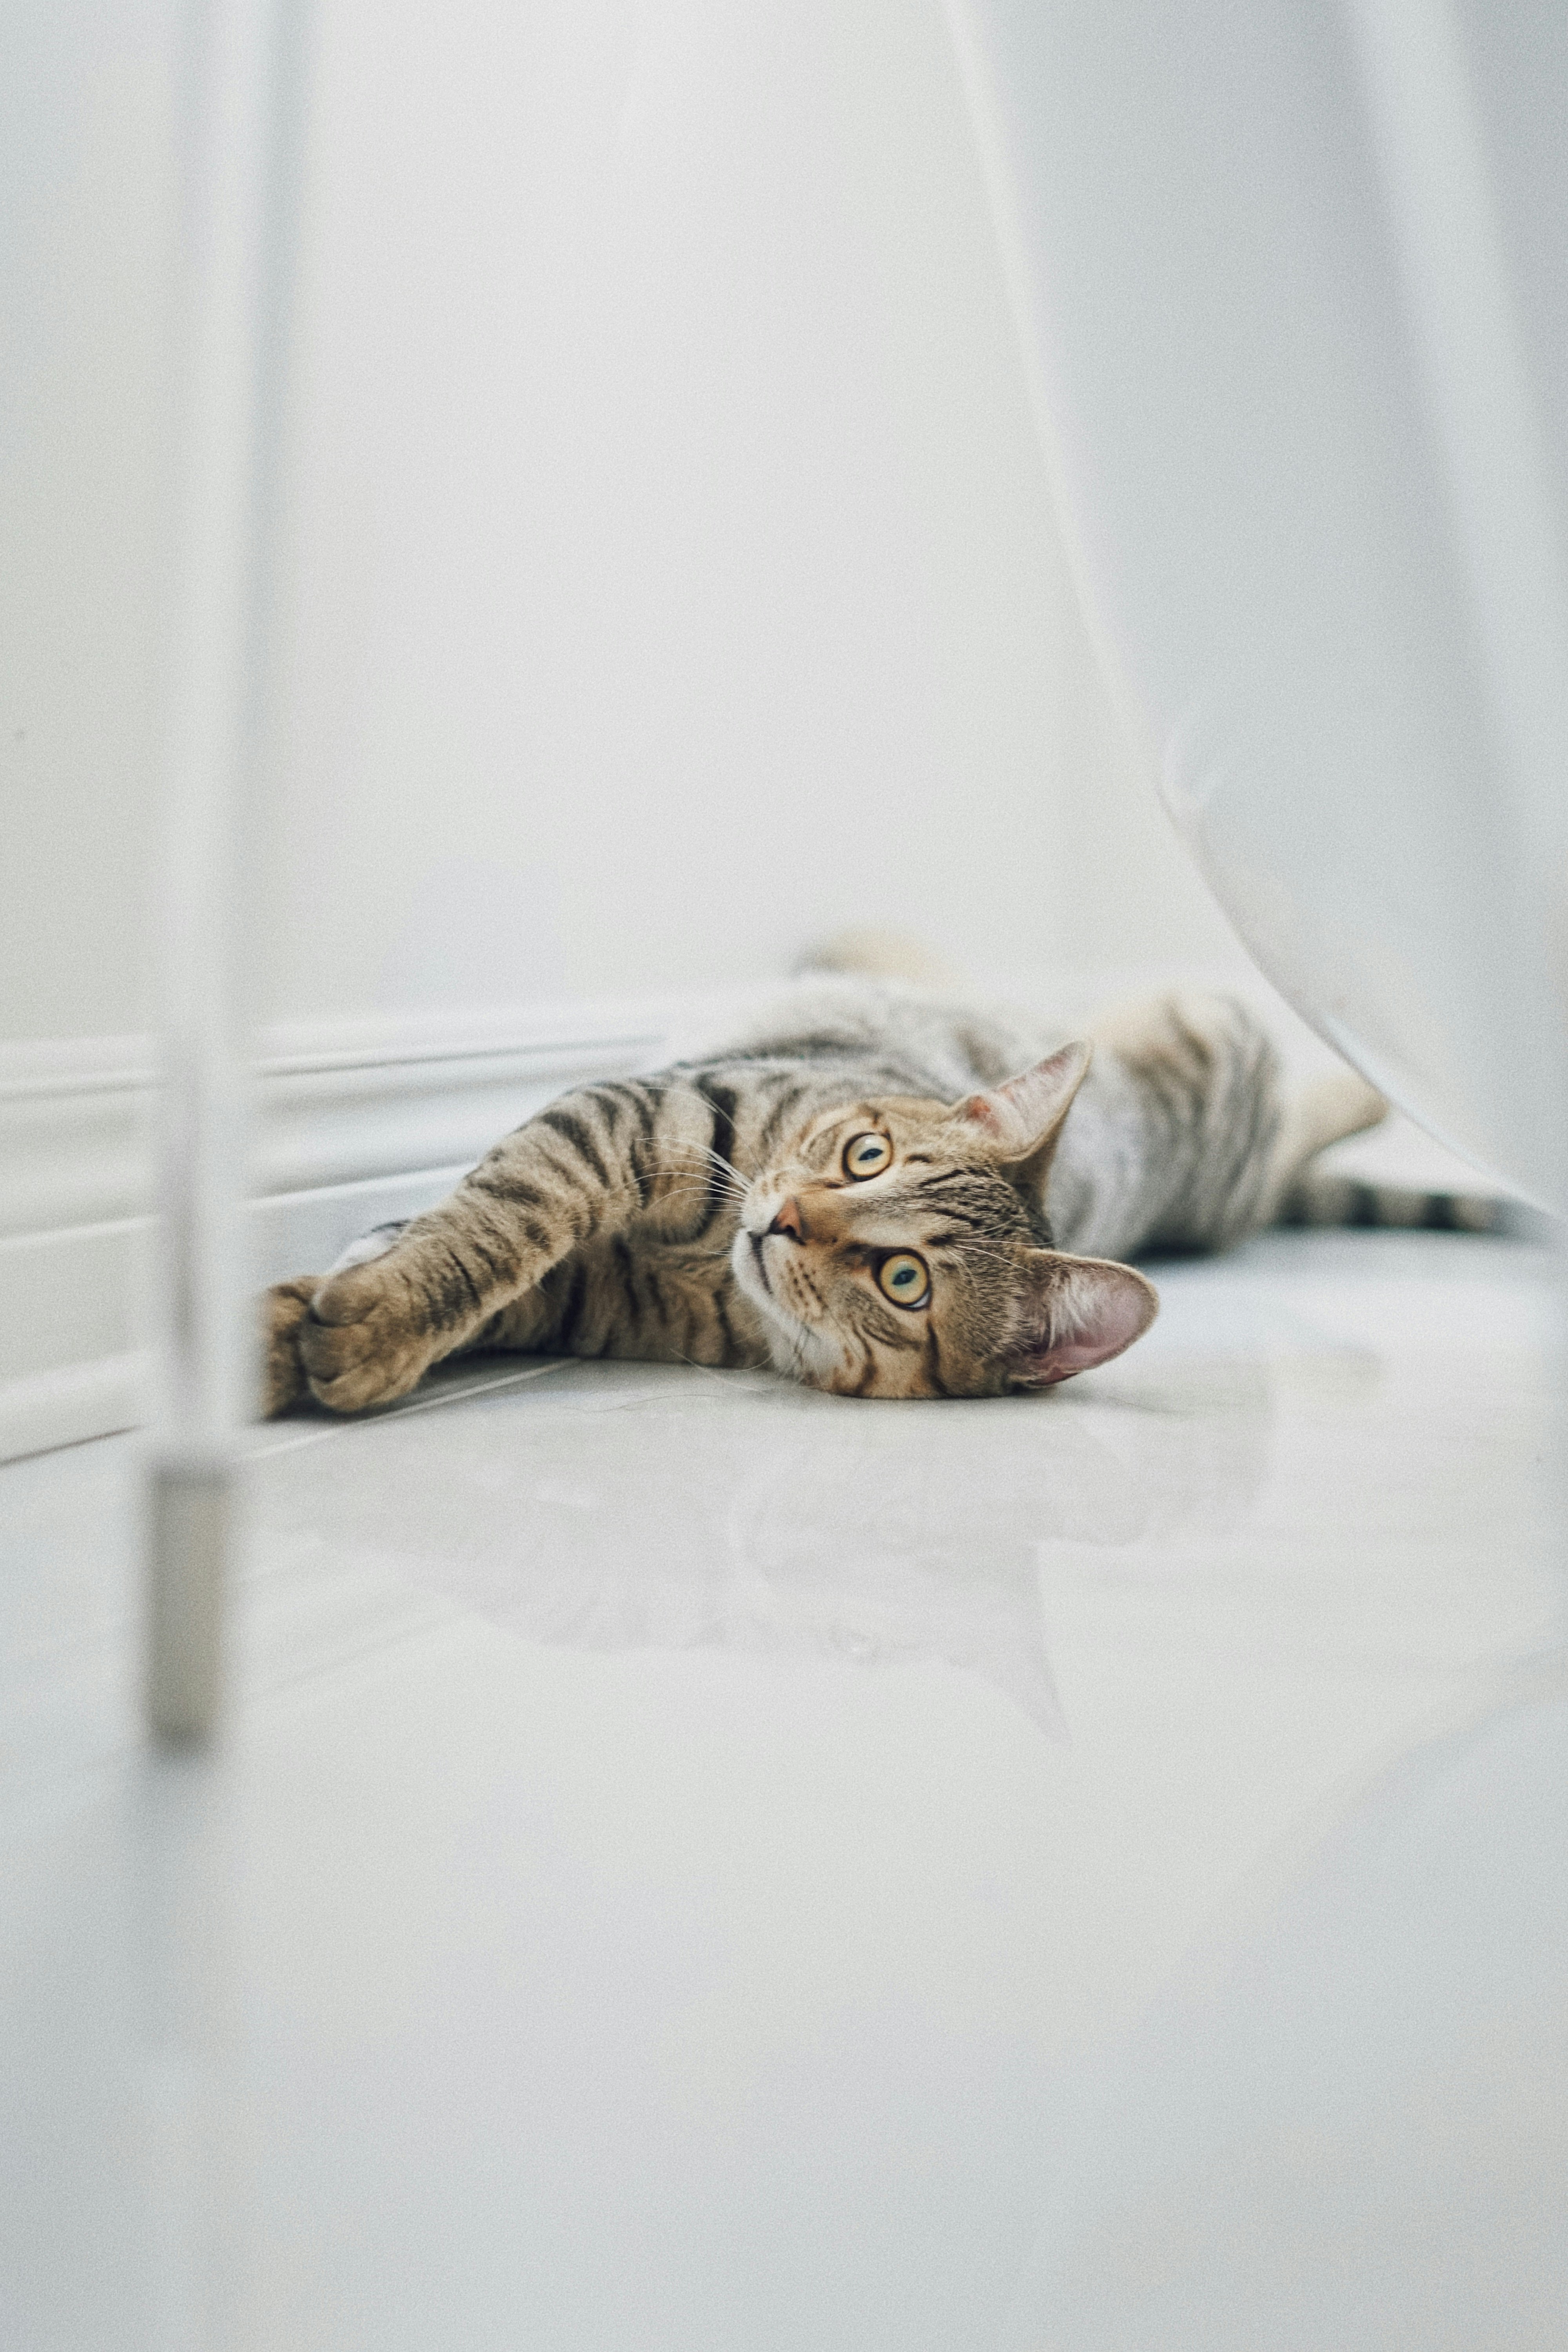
(356, 1123)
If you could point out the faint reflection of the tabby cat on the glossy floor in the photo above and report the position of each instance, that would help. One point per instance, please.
(634, 1506)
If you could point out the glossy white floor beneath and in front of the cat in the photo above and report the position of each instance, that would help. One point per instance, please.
(709, 1866)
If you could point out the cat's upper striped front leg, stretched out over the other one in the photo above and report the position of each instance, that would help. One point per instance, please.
(584, 1170)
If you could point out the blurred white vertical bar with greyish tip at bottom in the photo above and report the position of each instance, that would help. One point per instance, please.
(227, 283)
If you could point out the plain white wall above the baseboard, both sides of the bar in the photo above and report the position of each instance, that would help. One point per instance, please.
(669, 568)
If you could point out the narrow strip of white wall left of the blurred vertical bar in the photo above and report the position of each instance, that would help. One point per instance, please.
(86, 220)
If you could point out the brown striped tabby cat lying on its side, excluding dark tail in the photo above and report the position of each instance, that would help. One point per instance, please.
(883, 1194)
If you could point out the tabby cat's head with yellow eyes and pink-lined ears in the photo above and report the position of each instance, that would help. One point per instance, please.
(902, 1250)
